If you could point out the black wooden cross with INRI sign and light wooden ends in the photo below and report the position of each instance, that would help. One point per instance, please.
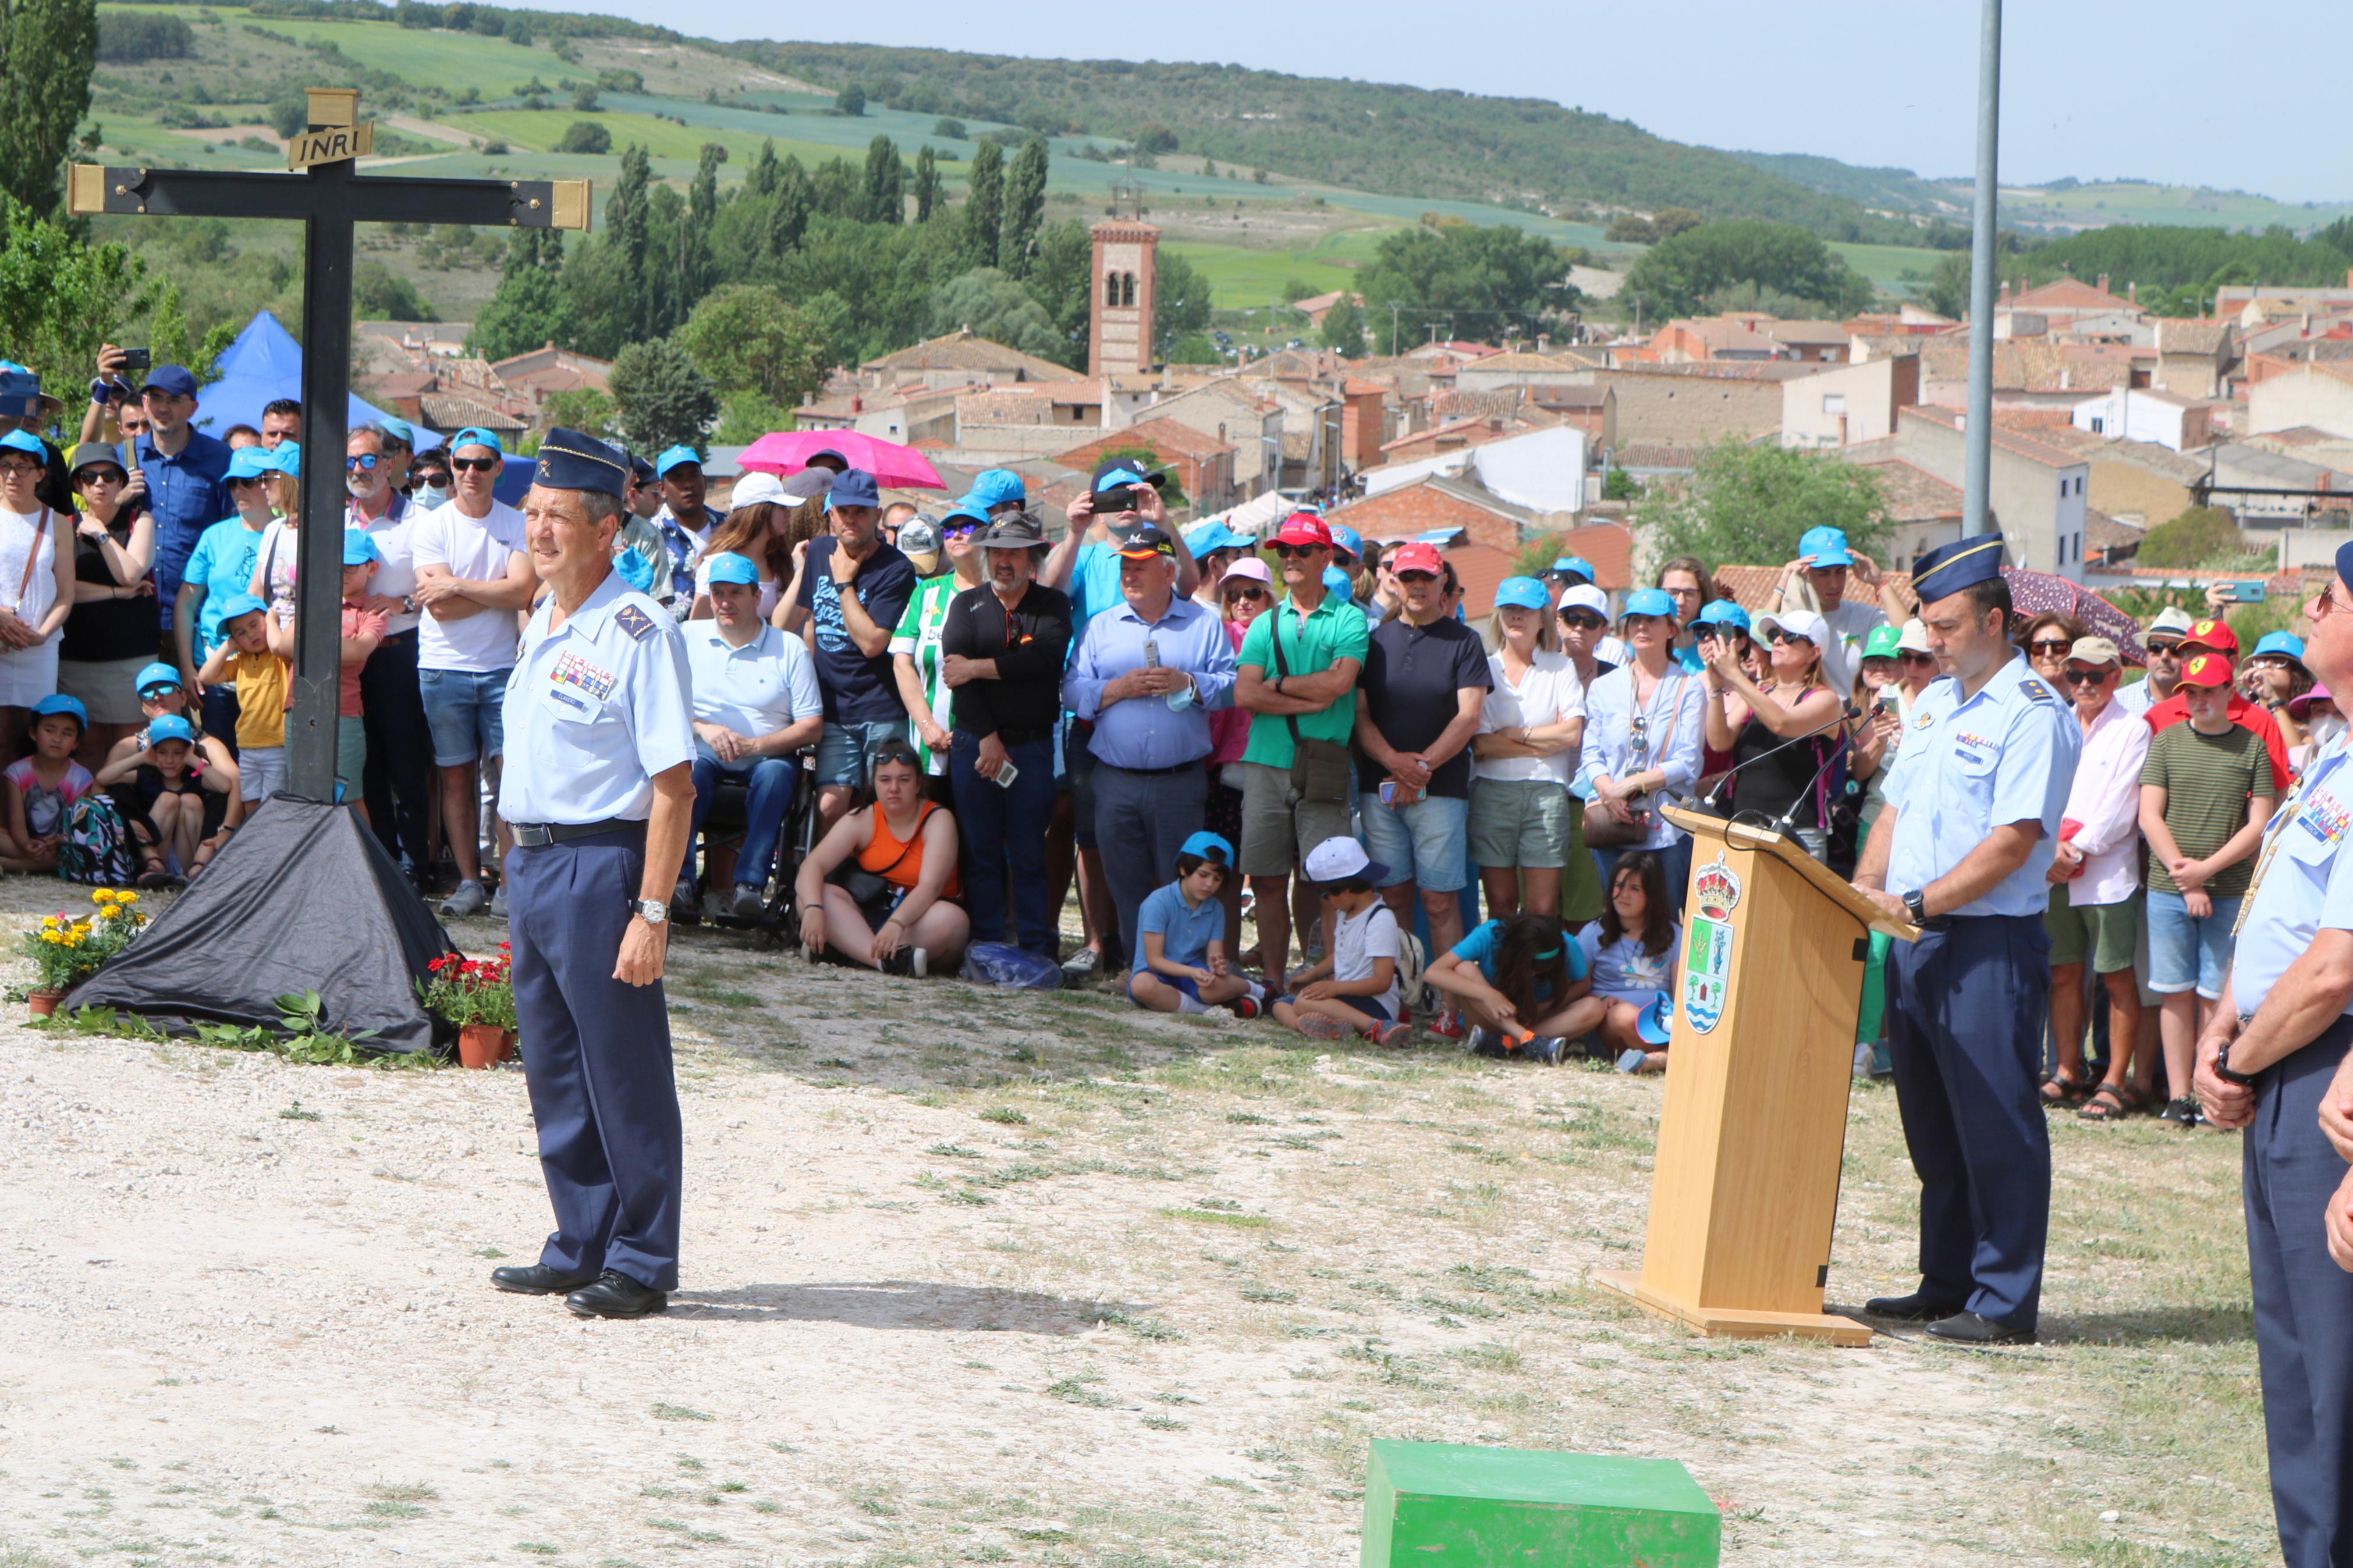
(326, 196)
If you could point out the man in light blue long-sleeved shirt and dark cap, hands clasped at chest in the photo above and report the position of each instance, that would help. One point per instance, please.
(1145, 676)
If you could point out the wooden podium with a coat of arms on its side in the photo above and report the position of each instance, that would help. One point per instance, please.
(1745, 1184)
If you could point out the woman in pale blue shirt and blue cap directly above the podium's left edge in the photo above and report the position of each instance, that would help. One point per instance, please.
(1644, 744)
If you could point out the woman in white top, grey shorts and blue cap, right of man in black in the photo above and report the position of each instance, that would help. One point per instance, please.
(1524, 819)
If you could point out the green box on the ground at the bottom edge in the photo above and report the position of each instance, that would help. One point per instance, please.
(1448, 1506)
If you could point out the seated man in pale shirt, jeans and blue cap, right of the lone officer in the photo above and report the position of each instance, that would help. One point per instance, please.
(754, 709)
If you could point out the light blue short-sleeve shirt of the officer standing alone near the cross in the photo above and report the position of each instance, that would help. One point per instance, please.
(594, 711)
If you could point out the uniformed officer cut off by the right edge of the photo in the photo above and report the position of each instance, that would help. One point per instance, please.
(2274, 1061)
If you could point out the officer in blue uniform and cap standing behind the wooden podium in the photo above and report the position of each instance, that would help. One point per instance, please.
(1961, 850)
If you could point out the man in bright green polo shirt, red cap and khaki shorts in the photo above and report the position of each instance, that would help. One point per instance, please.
(1298, 681)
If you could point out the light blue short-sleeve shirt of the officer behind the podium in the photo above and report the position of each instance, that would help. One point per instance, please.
(1973, 765)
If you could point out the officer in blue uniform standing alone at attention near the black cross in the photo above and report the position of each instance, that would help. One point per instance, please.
(599, 793)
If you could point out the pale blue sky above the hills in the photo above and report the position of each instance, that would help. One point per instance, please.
(2152, 91)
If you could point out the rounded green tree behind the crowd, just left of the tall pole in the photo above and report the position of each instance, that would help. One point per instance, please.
(1747, 507)
